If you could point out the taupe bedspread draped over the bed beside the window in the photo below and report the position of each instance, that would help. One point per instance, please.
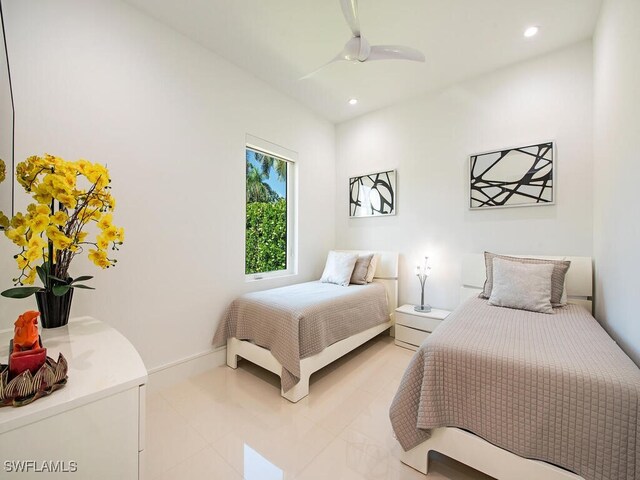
(301, 320)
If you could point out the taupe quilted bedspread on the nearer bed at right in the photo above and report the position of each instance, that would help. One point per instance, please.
(555, 388)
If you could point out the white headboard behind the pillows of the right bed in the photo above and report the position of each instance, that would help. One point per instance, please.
(578, 282)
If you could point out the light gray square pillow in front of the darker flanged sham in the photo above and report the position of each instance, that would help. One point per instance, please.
(523, 286)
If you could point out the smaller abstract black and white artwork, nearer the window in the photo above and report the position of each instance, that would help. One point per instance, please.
(373, 195)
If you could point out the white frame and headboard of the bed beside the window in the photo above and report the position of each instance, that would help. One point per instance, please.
(386, 273)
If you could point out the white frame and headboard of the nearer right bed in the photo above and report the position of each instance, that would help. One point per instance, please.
(472, 450)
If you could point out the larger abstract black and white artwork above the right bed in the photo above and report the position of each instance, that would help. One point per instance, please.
(514, 177)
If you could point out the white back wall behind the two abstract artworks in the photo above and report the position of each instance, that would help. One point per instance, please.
(429, 140)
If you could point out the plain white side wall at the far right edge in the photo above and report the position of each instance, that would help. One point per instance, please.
(617, 170)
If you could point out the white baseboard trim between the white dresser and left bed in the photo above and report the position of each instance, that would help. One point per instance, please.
(175, 372)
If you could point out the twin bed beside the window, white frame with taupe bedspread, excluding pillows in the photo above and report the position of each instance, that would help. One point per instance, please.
(295, 331)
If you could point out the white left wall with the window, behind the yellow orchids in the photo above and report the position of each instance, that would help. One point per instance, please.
(99, 80)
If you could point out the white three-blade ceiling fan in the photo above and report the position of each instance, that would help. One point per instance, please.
(357, 49)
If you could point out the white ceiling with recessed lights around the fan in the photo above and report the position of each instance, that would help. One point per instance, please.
(280, 41)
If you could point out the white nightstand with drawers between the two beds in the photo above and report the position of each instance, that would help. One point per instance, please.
(413, 328)
